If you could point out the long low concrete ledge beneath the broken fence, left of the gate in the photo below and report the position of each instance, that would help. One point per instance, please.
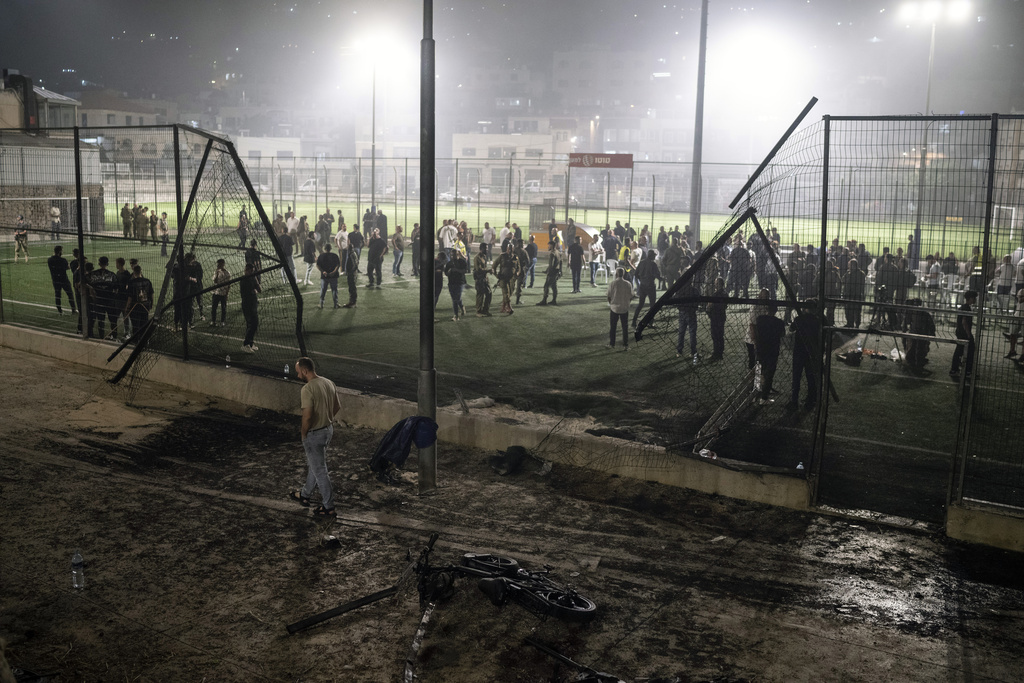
(569, 445)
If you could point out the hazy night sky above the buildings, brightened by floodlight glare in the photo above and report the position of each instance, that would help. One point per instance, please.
(170, 49)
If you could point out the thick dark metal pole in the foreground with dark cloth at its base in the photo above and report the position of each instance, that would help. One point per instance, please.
(428, 392)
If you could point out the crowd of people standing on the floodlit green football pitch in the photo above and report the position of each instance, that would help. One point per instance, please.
(904, 286)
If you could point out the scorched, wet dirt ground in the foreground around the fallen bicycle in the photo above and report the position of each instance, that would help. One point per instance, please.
(196, 561)
